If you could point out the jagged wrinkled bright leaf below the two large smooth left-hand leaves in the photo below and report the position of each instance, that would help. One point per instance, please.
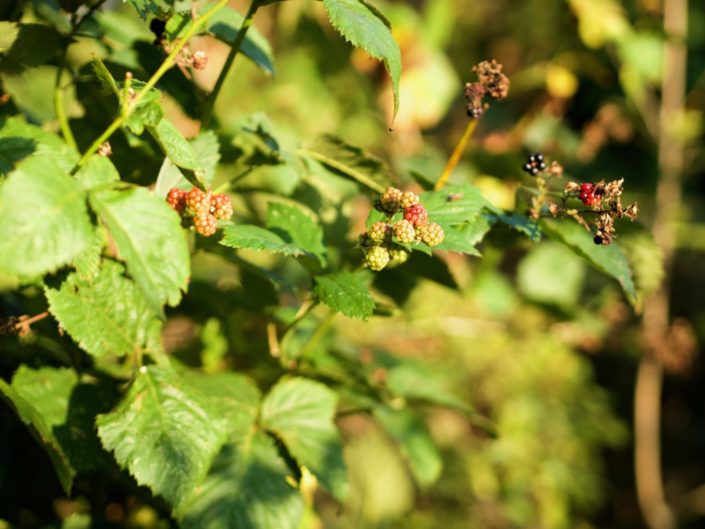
(106, 315)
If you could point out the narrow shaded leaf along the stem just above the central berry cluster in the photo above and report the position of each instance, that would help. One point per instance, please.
(350, 161)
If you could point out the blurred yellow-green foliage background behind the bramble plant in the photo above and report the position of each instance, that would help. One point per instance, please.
(539, 343)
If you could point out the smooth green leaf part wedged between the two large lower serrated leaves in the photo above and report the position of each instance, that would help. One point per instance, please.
(234, 395)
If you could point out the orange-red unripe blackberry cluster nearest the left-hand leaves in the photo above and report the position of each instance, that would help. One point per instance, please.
(202, 207)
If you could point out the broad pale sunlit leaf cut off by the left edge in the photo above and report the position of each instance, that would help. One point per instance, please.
(44, 221)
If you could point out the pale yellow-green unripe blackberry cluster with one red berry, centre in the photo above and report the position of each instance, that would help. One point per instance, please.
(381, 243)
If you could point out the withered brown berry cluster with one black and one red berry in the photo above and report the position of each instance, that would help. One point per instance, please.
(603, 200)
